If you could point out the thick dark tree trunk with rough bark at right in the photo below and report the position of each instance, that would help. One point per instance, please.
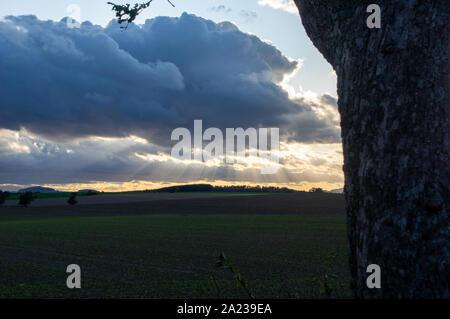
(394, 93)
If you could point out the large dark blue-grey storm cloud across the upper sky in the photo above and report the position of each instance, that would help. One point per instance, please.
(62, 83)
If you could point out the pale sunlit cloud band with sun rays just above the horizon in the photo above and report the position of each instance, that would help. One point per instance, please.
(121, 160)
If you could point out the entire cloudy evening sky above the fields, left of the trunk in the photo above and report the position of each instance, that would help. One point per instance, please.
(94, 106)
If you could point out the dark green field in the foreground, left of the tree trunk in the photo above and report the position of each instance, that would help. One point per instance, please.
(173, 256)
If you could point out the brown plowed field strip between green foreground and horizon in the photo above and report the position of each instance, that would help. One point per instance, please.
(308, 204)
